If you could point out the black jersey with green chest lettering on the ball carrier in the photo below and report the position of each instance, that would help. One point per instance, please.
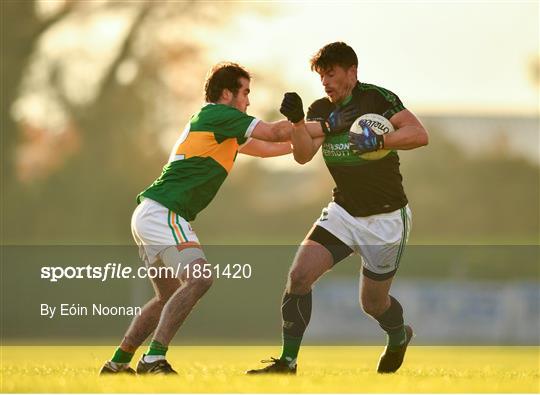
(363, 187)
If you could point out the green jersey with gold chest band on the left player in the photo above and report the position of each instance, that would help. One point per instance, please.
(201, 159)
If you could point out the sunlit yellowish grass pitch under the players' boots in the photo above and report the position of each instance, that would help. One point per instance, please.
(321, 369)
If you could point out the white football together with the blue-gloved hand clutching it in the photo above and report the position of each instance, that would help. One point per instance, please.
(366, 136)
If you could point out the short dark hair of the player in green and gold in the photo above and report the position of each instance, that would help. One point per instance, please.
(224, 75)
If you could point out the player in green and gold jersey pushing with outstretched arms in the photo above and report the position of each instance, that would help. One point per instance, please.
(198, 164)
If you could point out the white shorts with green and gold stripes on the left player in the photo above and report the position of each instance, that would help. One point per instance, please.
(155, 228)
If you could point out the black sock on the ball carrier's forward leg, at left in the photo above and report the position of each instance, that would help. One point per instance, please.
(296, 313)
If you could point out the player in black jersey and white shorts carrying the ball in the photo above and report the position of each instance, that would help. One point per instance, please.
(369, 214)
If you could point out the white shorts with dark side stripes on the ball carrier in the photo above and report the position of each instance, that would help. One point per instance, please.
(379, 239)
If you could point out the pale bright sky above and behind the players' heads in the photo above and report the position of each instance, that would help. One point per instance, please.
(439, 57)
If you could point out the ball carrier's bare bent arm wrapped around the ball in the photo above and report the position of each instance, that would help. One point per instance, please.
(409, 134)
